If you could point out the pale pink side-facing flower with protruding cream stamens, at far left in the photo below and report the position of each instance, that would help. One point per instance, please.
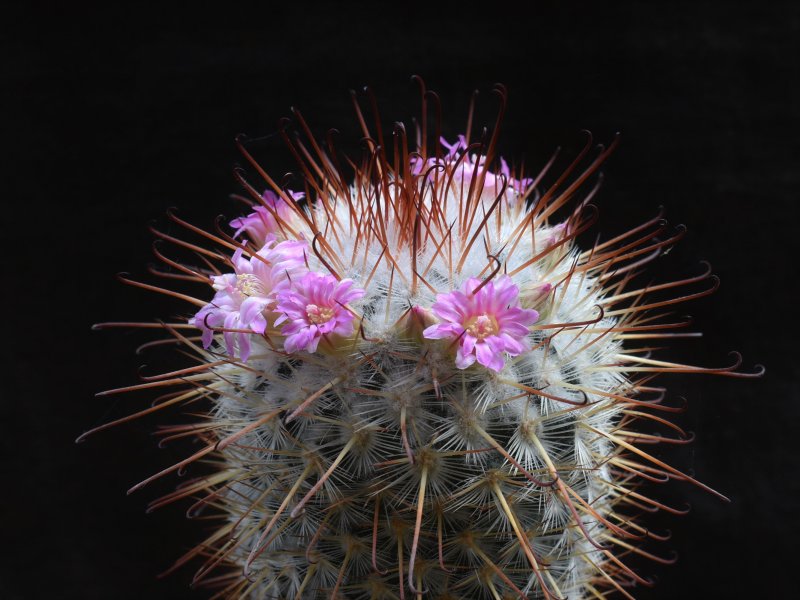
(242, 297)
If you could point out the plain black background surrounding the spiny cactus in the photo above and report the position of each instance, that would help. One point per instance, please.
(112, 116)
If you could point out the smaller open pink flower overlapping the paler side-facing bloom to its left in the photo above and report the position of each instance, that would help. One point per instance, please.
(314, 306)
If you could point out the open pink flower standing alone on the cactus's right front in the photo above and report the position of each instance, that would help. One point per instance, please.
(485, 323)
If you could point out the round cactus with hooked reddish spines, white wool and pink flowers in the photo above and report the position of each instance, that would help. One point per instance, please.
(417, 384)
